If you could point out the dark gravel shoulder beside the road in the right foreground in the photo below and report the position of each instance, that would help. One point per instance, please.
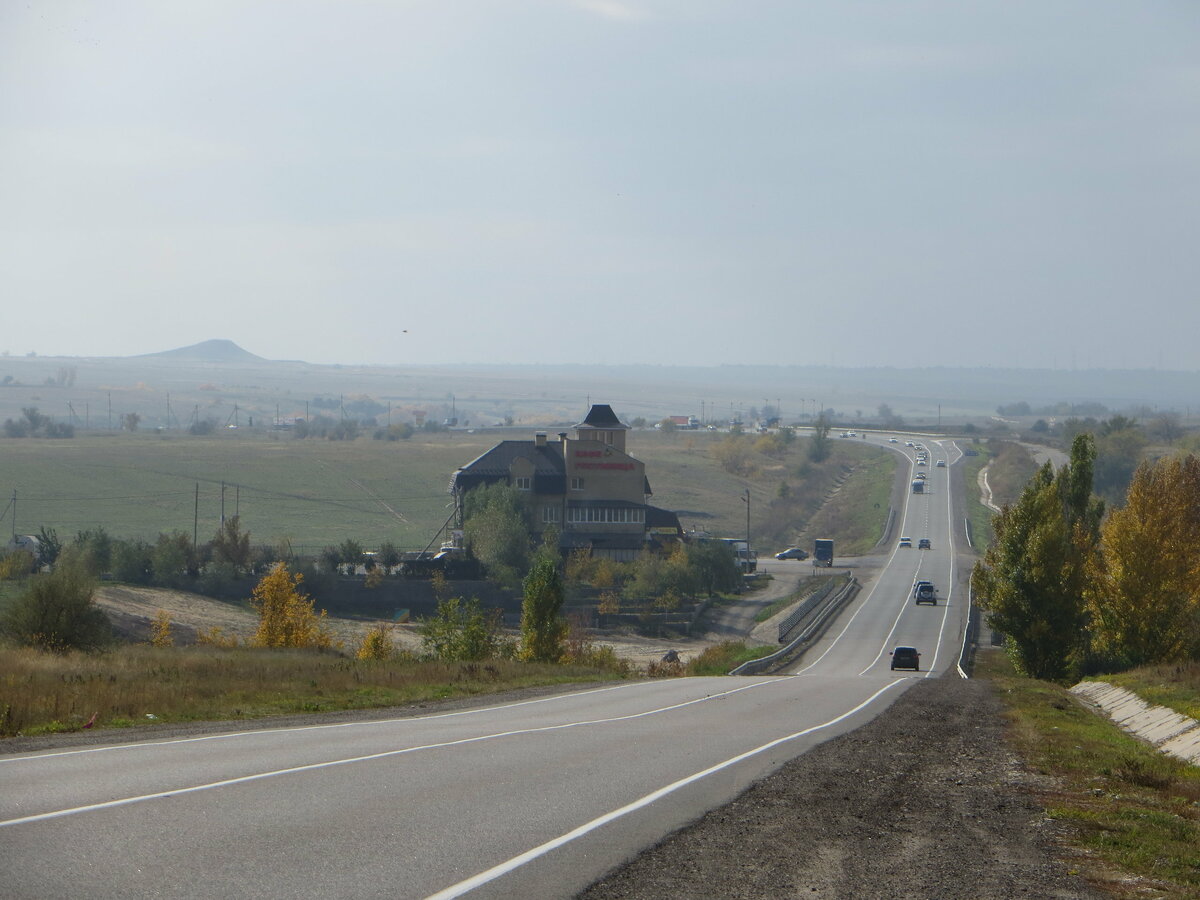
(926, 801)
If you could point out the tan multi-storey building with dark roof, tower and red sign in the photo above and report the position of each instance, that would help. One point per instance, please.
(587, 488)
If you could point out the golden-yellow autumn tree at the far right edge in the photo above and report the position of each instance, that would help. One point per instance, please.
(1145, 598)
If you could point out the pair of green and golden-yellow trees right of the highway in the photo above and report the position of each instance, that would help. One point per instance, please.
(1075, 591)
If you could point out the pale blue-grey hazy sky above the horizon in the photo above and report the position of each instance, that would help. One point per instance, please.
(676, 182)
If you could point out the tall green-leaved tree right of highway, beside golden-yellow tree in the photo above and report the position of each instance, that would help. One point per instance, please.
(1034, 579)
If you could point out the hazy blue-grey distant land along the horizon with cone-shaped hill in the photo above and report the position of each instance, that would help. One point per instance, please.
(224, 383)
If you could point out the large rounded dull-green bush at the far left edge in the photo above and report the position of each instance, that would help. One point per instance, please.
(58, 613)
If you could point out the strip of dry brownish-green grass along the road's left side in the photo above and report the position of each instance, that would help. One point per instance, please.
(133, 686)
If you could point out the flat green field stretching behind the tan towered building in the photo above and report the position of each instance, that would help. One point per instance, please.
(317, 493)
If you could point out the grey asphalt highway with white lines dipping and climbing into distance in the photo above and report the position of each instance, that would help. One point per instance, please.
(536, 800)
